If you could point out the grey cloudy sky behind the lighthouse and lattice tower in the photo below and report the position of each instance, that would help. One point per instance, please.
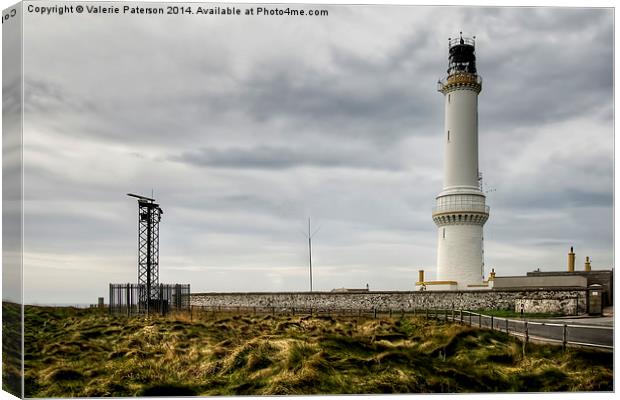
(246, 126)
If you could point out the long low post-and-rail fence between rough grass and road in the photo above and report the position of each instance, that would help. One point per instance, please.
(527, 329)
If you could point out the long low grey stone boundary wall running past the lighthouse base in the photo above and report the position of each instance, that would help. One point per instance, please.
(572, 301)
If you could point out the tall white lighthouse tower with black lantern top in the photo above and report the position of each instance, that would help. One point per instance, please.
(460, 212)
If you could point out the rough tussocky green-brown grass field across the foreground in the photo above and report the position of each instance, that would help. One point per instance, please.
(88, 353)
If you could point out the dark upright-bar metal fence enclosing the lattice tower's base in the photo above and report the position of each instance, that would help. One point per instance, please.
(132, 299)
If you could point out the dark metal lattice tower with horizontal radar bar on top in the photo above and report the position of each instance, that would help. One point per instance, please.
(149, 216)
